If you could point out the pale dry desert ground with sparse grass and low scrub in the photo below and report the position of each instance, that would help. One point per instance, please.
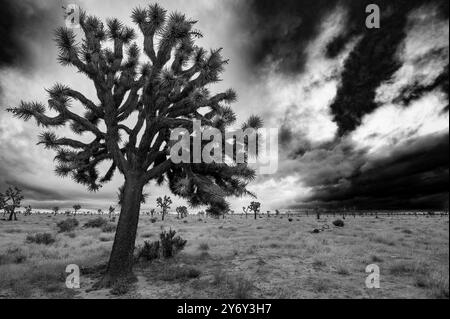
(237, 257)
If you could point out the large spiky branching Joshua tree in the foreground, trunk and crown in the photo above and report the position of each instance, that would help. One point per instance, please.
(161, 91)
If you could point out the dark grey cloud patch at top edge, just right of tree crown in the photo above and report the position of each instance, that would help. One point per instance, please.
(281, 30)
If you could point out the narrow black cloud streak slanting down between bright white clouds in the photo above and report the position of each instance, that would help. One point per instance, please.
(373, 61)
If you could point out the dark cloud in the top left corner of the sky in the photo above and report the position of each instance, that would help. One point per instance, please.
(23, 23)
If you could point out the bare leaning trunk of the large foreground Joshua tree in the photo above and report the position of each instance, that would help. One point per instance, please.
(120, 265)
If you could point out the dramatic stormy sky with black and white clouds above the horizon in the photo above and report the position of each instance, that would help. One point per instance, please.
(362, 113)
